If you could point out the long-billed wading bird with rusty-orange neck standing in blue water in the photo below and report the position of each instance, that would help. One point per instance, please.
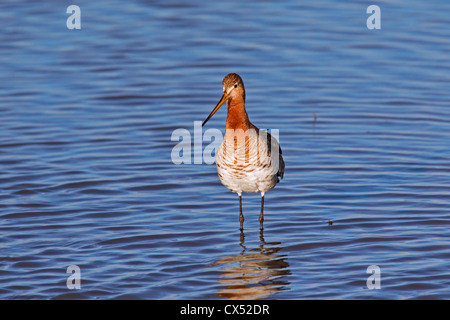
(248, 159)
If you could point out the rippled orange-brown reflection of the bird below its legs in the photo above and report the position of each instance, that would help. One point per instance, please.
(254, 273)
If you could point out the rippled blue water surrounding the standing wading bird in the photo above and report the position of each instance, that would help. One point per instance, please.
(86, 176)
